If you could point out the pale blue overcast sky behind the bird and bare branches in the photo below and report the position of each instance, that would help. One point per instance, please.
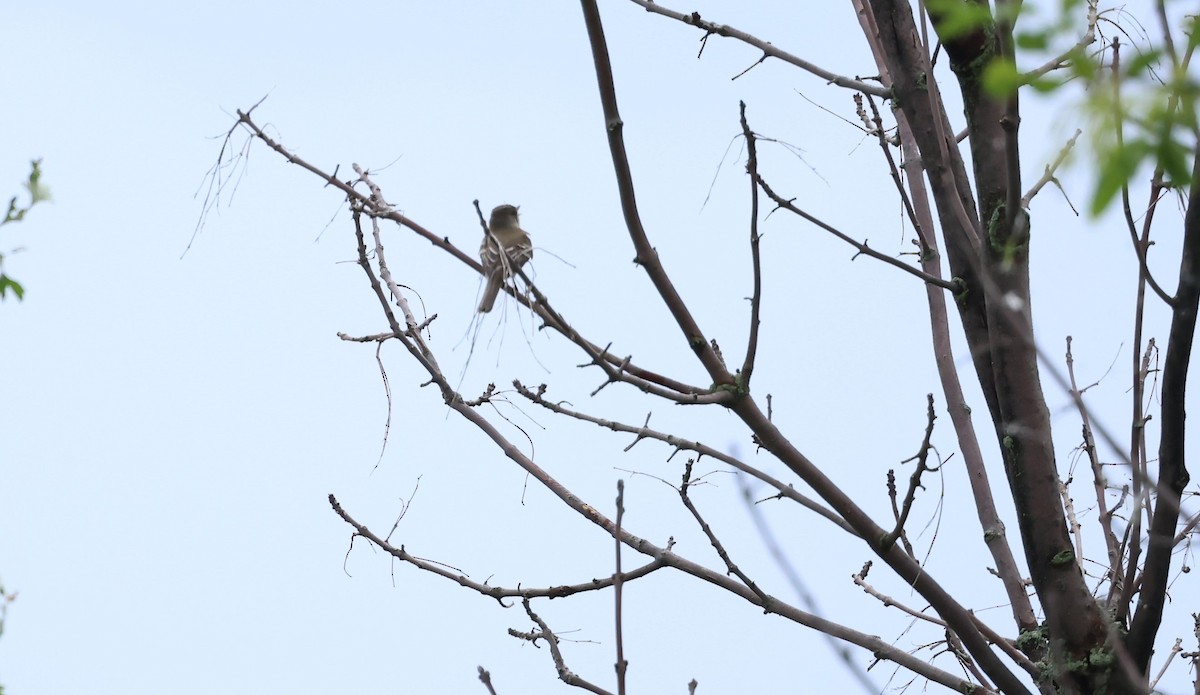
(170, 428)
